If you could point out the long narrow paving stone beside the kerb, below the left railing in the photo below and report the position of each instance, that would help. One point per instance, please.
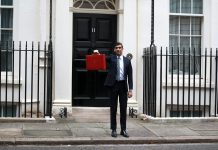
(48, 133)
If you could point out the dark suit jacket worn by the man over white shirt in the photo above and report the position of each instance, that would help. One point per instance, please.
(111, 76)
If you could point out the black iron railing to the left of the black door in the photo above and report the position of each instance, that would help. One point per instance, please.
(26, 79)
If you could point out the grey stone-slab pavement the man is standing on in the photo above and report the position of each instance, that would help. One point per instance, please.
(96, 130)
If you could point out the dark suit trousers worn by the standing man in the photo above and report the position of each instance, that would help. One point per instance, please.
(118, 90)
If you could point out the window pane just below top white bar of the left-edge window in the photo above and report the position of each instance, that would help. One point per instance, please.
(6, 18)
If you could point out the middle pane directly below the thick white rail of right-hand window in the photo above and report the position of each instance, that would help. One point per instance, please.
(185, 25)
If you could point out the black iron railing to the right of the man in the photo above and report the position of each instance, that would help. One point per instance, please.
(180, 82)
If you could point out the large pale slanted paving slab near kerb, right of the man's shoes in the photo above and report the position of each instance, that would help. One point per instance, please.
(163, 130)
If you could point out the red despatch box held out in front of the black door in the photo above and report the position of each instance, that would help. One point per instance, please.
(96, 62)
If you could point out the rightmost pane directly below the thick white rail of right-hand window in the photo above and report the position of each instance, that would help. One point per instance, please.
(196, 26)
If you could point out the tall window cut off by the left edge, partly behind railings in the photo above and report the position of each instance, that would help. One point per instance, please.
(6, 33)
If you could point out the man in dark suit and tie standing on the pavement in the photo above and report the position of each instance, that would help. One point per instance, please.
(120, 72)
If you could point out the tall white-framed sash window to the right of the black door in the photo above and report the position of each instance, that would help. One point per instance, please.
(185, 34)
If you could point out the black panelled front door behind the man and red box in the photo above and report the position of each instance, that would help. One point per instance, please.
(91, 31)
